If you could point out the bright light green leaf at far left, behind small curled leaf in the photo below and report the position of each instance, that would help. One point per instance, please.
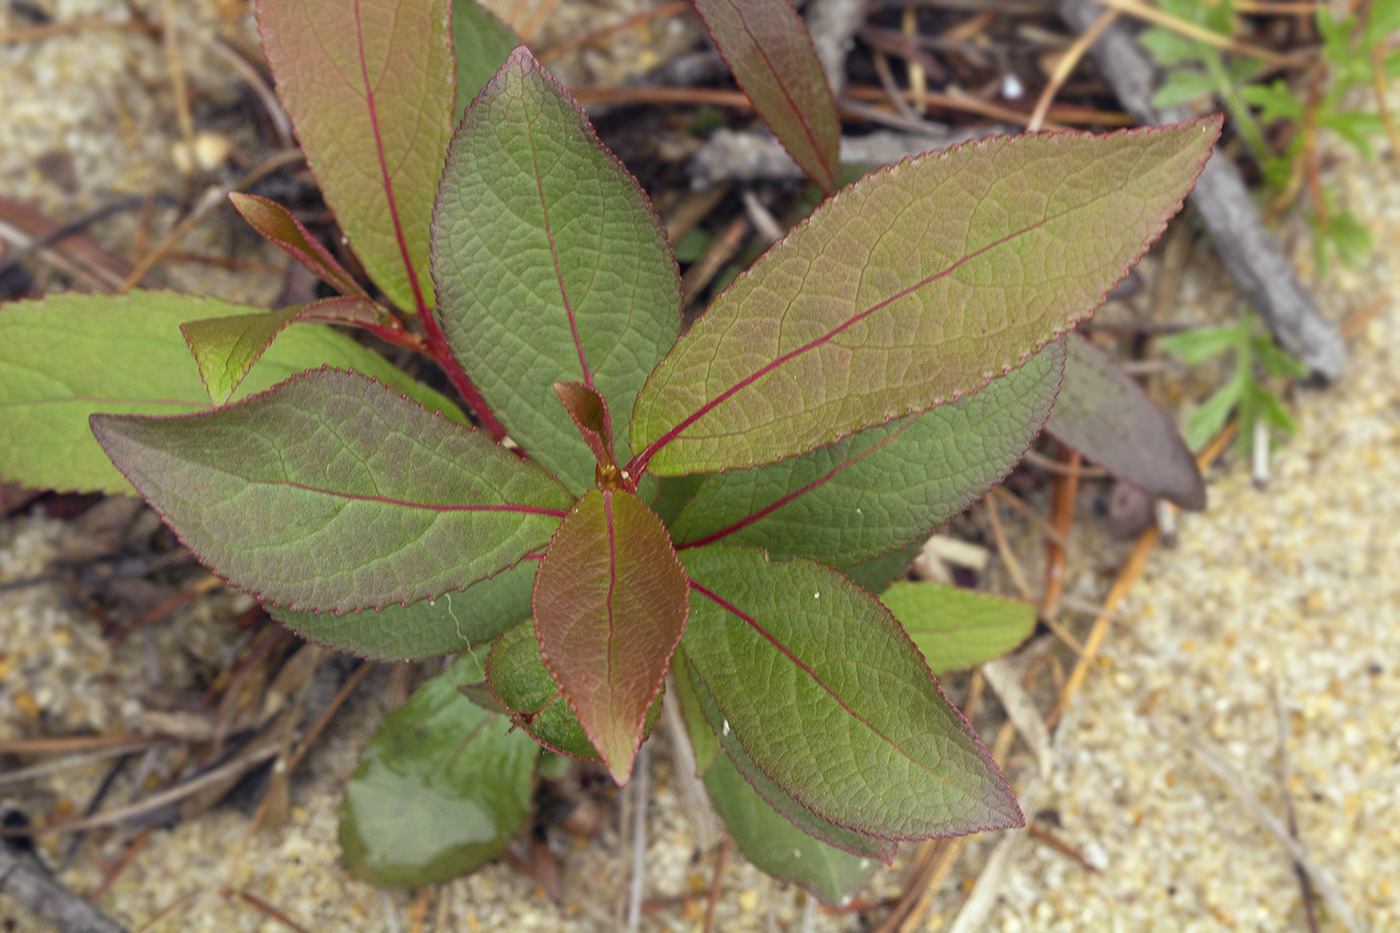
(75, 355)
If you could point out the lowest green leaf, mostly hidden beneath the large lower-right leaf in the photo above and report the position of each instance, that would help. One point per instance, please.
(778, 847)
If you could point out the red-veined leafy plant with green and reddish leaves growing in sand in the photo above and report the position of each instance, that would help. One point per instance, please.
(673, 502)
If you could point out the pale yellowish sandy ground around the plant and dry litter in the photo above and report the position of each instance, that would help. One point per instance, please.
(1279, 599)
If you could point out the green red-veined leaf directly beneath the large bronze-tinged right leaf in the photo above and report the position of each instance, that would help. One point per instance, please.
(884, 488)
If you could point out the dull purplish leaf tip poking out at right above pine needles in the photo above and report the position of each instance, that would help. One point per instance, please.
(1105, 415)
